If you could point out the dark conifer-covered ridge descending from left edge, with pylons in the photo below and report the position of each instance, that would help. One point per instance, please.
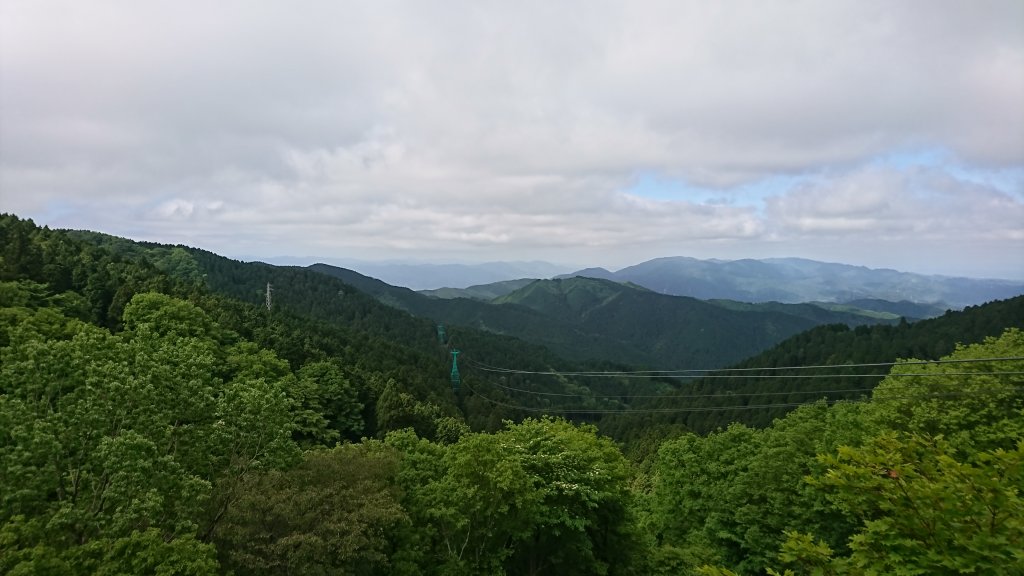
(314, 318)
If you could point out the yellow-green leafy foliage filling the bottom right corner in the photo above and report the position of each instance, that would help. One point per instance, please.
(926, 512)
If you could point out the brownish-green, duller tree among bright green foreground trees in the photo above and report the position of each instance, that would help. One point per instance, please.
(337, 513)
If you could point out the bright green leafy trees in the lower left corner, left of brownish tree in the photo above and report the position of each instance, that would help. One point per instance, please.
(105, 438)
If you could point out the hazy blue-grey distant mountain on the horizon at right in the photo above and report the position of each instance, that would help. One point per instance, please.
(798, 280)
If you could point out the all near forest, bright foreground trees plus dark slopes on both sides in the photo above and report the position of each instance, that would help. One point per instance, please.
(158, 418)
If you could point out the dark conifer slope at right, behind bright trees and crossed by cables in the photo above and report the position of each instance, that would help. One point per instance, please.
(706, 404)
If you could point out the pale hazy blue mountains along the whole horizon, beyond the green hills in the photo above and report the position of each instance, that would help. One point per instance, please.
(782, 280)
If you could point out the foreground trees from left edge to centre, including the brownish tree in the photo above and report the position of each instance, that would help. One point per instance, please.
(177, 446)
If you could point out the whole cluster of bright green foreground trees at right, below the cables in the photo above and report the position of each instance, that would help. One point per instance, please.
(924, 479)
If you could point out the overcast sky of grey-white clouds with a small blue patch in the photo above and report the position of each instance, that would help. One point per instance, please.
(594, 134)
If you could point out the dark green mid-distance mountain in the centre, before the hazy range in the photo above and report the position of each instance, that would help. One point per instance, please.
(588, 319)
